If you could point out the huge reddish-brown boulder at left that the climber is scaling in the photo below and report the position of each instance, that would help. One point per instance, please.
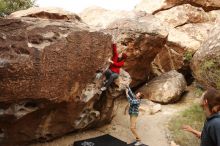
(47, 79)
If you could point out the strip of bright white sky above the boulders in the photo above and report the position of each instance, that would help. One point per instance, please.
(79, 5)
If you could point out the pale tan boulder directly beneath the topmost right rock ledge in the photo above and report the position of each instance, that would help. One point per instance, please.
(183, 14)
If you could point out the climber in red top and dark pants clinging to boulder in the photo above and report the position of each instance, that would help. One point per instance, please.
(114, 69)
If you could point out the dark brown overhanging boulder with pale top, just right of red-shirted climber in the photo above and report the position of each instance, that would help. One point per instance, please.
(138, 41)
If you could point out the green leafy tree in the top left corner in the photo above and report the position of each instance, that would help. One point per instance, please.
(9, 6)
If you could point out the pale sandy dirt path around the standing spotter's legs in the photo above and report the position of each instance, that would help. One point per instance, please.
(151, 128)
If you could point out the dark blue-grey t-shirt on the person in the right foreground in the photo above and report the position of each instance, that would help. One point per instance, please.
(211, 131)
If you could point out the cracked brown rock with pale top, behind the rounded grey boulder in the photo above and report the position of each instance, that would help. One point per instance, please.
(176, 52)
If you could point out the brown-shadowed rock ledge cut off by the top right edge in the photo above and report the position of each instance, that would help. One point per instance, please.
(155, 6)
